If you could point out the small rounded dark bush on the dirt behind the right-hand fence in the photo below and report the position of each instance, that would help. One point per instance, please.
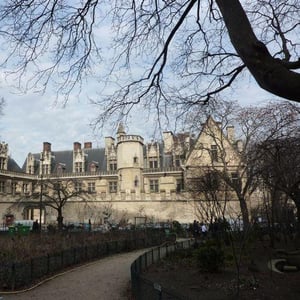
(210, 258)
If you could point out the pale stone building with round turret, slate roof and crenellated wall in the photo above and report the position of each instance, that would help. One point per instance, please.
(127, 179)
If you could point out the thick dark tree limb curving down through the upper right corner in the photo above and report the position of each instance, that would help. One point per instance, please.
(271, 74)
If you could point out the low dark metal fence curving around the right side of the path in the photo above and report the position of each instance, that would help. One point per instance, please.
(144, 289)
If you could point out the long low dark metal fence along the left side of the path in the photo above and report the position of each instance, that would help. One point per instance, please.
(16, 275)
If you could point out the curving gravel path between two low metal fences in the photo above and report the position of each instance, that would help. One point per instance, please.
(105, 279)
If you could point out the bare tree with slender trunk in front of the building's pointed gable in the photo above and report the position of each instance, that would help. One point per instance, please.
(235, 154)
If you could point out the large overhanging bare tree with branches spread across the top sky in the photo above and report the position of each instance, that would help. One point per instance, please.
(177, 54)
